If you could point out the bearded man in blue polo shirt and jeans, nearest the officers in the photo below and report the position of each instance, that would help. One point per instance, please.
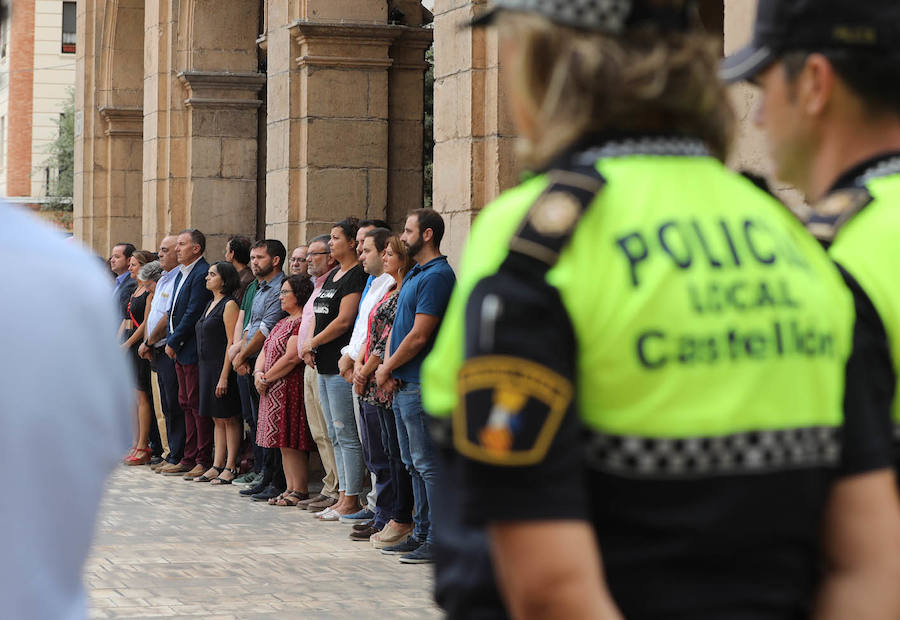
(421, 305)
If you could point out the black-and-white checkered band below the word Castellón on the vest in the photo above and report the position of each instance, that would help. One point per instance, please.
(741, 453)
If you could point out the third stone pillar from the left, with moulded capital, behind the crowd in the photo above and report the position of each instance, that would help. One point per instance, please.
(328, 148)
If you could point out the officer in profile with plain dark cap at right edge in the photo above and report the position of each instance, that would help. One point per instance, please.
(831, 69)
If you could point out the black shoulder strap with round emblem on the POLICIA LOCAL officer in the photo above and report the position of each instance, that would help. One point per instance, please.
(554, 216)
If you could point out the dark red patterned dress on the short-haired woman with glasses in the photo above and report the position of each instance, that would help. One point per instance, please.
(282, 416)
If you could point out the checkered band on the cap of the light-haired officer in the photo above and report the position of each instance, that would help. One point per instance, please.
(604, 15)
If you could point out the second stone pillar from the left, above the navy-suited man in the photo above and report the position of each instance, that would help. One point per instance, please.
(200, 127)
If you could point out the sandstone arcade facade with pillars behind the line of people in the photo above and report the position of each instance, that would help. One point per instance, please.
(278, 117)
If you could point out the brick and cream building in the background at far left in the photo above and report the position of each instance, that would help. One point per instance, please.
(37, 76)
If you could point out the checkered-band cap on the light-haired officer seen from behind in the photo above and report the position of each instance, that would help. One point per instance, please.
(608, 16)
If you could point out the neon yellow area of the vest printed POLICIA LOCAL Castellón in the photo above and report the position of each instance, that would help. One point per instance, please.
(701, 307)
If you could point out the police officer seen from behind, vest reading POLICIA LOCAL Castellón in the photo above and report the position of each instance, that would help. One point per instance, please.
(649, 371)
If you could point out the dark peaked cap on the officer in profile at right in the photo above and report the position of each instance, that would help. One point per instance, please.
(814, 25)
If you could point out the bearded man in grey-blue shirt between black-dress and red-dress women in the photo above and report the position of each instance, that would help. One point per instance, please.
(266, 261)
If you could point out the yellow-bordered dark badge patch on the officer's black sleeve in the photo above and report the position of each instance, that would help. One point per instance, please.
(510, 411)
